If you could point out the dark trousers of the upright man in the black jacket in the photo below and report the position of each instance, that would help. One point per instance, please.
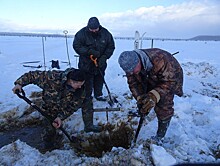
(94, 82)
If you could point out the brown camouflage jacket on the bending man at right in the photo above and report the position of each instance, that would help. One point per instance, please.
(166, 75)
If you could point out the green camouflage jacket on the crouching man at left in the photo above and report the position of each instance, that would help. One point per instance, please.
(59, 99)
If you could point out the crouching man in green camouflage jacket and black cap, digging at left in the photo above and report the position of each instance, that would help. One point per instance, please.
(63, 94)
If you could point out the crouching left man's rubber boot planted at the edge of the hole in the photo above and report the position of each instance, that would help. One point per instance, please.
(88, 122)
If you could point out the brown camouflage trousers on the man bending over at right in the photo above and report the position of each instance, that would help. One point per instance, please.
(164, 108)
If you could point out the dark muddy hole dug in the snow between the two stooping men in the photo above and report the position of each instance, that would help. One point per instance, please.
(96, 144)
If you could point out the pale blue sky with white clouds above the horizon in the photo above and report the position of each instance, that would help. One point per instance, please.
(158, 18)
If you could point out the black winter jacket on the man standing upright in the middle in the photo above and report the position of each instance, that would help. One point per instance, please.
(85, 40)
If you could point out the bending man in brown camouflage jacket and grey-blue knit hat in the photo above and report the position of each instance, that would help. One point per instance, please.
(154, 77)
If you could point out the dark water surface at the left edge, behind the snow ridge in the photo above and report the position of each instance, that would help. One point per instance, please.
(31, 135)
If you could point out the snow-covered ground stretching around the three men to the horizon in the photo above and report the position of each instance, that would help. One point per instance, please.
(194, 132)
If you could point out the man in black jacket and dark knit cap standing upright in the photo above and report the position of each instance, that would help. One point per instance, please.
(97, 41)
